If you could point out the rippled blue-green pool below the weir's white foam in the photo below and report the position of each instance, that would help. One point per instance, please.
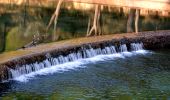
(137, 77)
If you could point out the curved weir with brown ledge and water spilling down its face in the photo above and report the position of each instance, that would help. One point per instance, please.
(30, 60)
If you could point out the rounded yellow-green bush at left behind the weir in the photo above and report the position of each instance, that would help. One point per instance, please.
(18, 36)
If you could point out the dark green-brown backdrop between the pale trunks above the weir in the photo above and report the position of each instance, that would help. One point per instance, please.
(25, 22)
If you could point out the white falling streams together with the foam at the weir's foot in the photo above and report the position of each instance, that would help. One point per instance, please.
(74, 61)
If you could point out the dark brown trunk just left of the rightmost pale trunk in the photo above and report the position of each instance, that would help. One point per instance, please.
(130, 21)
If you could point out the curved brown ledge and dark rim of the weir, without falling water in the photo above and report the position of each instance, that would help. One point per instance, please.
(150, 39)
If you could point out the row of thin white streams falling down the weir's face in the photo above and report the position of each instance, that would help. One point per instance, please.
(84, 52)
